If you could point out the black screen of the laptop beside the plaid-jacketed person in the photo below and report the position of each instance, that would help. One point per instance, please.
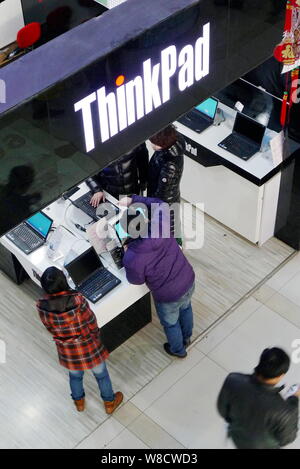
(83, 266)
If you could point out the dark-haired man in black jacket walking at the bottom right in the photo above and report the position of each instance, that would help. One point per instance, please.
(258, 417)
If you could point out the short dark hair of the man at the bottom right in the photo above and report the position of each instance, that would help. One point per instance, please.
(273, 363)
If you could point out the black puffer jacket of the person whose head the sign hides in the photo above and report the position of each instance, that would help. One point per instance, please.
(125, 176)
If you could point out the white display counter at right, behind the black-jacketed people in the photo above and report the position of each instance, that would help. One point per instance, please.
(242, 195)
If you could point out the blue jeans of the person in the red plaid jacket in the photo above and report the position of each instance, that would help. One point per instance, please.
(102, 377)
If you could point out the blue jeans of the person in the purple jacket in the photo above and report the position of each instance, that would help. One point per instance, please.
(177, 320)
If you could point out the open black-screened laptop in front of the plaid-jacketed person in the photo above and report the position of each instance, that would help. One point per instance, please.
(90, 277)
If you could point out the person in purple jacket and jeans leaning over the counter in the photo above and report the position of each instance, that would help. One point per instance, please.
(159, 262)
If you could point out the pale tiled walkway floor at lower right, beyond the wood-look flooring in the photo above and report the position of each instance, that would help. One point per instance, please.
(178, 408)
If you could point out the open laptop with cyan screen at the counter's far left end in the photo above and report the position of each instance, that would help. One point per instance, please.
(32, 233)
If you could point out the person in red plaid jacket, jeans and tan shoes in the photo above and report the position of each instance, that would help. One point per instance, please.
(68, 317)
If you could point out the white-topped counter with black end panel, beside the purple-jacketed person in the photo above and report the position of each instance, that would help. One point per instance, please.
(122, 311)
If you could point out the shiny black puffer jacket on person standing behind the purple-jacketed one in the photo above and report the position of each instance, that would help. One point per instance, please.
(165, 171)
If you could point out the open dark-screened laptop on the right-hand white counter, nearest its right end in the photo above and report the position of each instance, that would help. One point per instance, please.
(246, 137)
